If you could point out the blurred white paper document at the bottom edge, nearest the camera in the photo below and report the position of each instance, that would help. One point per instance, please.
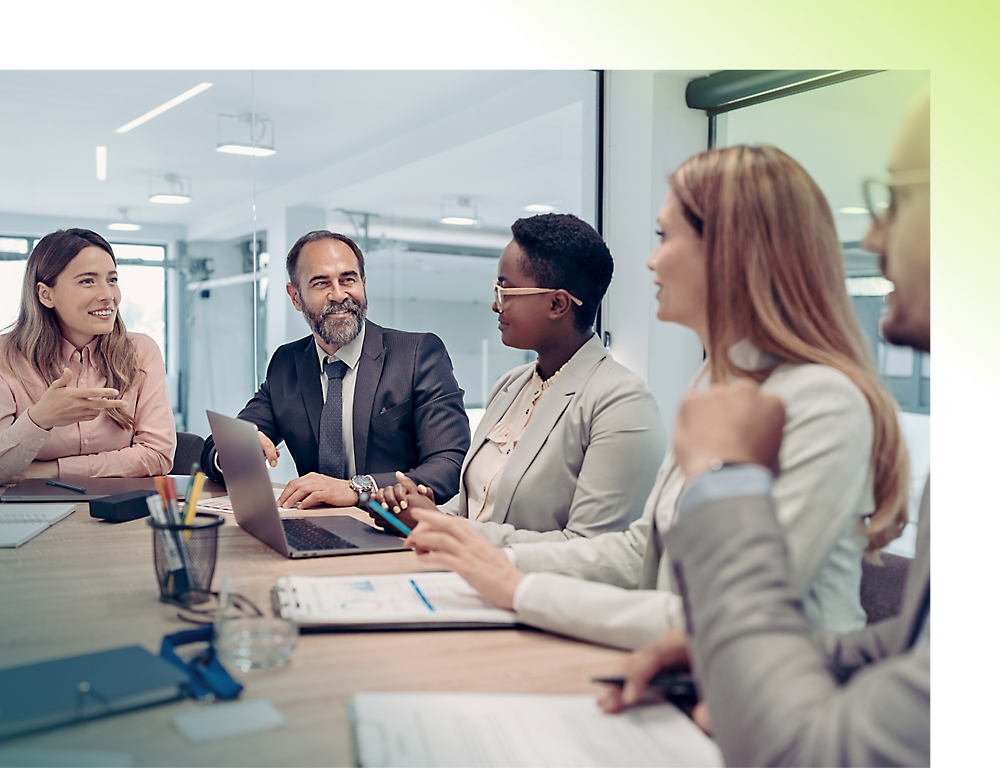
(500, 730)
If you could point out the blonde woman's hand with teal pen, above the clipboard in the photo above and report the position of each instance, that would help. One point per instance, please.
(449, 542)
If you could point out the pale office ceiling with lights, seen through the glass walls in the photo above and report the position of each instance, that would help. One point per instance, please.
(394, 143)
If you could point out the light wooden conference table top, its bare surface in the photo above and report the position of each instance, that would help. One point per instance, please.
(85, 585)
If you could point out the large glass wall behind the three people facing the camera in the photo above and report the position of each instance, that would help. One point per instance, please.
(425, 169)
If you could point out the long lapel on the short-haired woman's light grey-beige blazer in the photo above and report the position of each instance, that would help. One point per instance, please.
(543, 420)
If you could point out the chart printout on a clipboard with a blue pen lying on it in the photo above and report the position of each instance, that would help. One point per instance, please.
(396, 601)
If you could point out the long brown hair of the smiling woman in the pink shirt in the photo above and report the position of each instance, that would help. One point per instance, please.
(36, 336)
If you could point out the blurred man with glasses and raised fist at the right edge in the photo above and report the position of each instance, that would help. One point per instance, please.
(779, 696)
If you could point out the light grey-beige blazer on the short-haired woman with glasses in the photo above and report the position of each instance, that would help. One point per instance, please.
(586, 460)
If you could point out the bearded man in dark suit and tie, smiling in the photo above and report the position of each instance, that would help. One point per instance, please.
(354, 402)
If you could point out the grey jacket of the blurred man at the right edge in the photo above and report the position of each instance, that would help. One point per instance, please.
(779, 696)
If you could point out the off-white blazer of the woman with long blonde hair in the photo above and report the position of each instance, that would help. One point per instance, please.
(618, 589)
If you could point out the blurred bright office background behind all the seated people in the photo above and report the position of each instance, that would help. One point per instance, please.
(426, 170)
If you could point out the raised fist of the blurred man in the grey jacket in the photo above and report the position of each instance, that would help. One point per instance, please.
(736, 424)
